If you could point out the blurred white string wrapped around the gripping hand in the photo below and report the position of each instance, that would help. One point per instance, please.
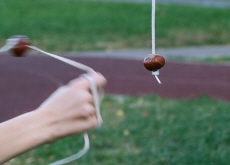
(12, 42)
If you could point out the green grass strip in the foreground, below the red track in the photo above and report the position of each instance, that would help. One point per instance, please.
(149, 130)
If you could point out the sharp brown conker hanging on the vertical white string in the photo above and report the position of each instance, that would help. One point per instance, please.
(154, 62)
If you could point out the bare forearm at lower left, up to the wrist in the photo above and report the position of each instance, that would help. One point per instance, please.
(22, 134)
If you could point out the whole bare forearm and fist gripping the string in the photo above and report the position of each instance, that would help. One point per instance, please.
(69, 110)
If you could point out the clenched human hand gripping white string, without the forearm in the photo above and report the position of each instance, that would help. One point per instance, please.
(70, 109)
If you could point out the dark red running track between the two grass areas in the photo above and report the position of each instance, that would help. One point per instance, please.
(27, 82)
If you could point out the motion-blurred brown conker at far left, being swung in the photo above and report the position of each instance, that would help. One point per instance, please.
(20, 48)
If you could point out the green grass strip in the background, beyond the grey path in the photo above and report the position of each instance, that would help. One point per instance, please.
(74, 25)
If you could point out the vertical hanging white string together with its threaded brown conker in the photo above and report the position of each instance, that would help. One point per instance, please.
(153, 62)
